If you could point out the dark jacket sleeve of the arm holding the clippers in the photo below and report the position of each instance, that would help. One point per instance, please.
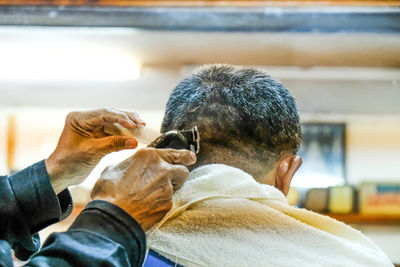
(102, 235)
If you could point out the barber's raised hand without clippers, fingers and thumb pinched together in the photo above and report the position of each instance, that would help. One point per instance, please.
(83, 143)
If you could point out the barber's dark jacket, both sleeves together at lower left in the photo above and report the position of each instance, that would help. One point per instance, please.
(102, 235)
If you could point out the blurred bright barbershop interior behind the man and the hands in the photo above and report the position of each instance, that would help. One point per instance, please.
(340, 59)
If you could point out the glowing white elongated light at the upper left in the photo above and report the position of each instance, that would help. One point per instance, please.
(65, 61)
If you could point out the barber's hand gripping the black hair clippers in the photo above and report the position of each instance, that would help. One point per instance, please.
(143, 184)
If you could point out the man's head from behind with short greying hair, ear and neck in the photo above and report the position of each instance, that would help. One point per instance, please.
(245, 118)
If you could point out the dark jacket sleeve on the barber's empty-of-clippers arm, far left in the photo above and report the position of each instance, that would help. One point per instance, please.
(28, 204)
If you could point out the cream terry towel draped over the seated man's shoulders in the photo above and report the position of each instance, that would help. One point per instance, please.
(223, 217)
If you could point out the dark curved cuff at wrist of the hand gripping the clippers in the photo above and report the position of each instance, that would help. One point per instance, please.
(113, 222)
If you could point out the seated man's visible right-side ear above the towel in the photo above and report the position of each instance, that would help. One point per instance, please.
(286, 169)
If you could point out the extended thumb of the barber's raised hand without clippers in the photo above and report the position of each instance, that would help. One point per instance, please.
(115, 143)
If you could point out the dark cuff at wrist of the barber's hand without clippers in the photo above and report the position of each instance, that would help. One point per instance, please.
(37, 199)
